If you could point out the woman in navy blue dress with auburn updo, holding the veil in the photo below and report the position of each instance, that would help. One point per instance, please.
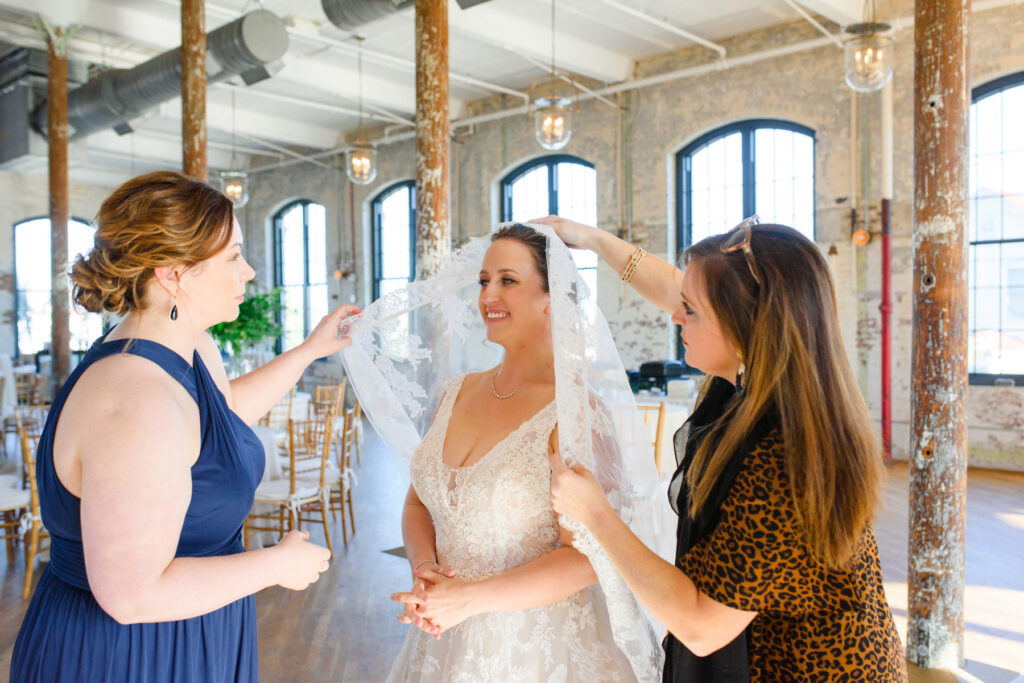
(147, 465)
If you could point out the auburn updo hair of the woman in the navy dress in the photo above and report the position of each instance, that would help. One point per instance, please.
(160, 219)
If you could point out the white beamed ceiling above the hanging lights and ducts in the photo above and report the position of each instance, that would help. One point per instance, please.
(499, 47)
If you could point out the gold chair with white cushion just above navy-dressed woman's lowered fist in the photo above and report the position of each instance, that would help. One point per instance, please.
(305, 492)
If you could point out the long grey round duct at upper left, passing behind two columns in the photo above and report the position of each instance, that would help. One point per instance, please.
(249, 47)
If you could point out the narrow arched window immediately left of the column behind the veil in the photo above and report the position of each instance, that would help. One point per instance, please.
(395, 238)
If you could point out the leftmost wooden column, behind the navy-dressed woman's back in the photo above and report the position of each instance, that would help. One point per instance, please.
(57, 124)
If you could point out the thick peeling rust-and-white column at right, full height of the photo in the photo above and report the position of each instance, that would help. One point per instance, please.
(940, 385)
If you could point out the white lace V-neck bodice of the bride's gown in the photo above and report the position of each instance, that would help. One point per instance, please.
(495, 515)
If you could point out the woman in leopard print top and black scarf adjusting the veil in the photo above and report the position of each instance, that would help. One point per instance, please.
(778, 575)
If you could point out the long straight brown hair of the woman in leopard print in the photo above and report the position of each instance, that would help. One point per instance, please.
(787, 331)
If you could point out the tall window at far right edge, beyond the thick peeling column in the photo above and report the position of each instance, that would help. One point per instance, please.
(996, 272)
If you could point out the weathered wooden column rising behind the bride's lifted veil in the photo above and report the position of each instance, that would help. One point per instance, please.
(434, 227)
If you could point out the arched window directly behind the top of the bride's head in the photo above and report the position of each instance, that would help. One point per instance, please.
(560, 185)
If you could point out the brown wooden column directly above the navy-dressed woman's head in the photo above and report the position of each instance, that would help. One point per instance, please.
(194, 88)
